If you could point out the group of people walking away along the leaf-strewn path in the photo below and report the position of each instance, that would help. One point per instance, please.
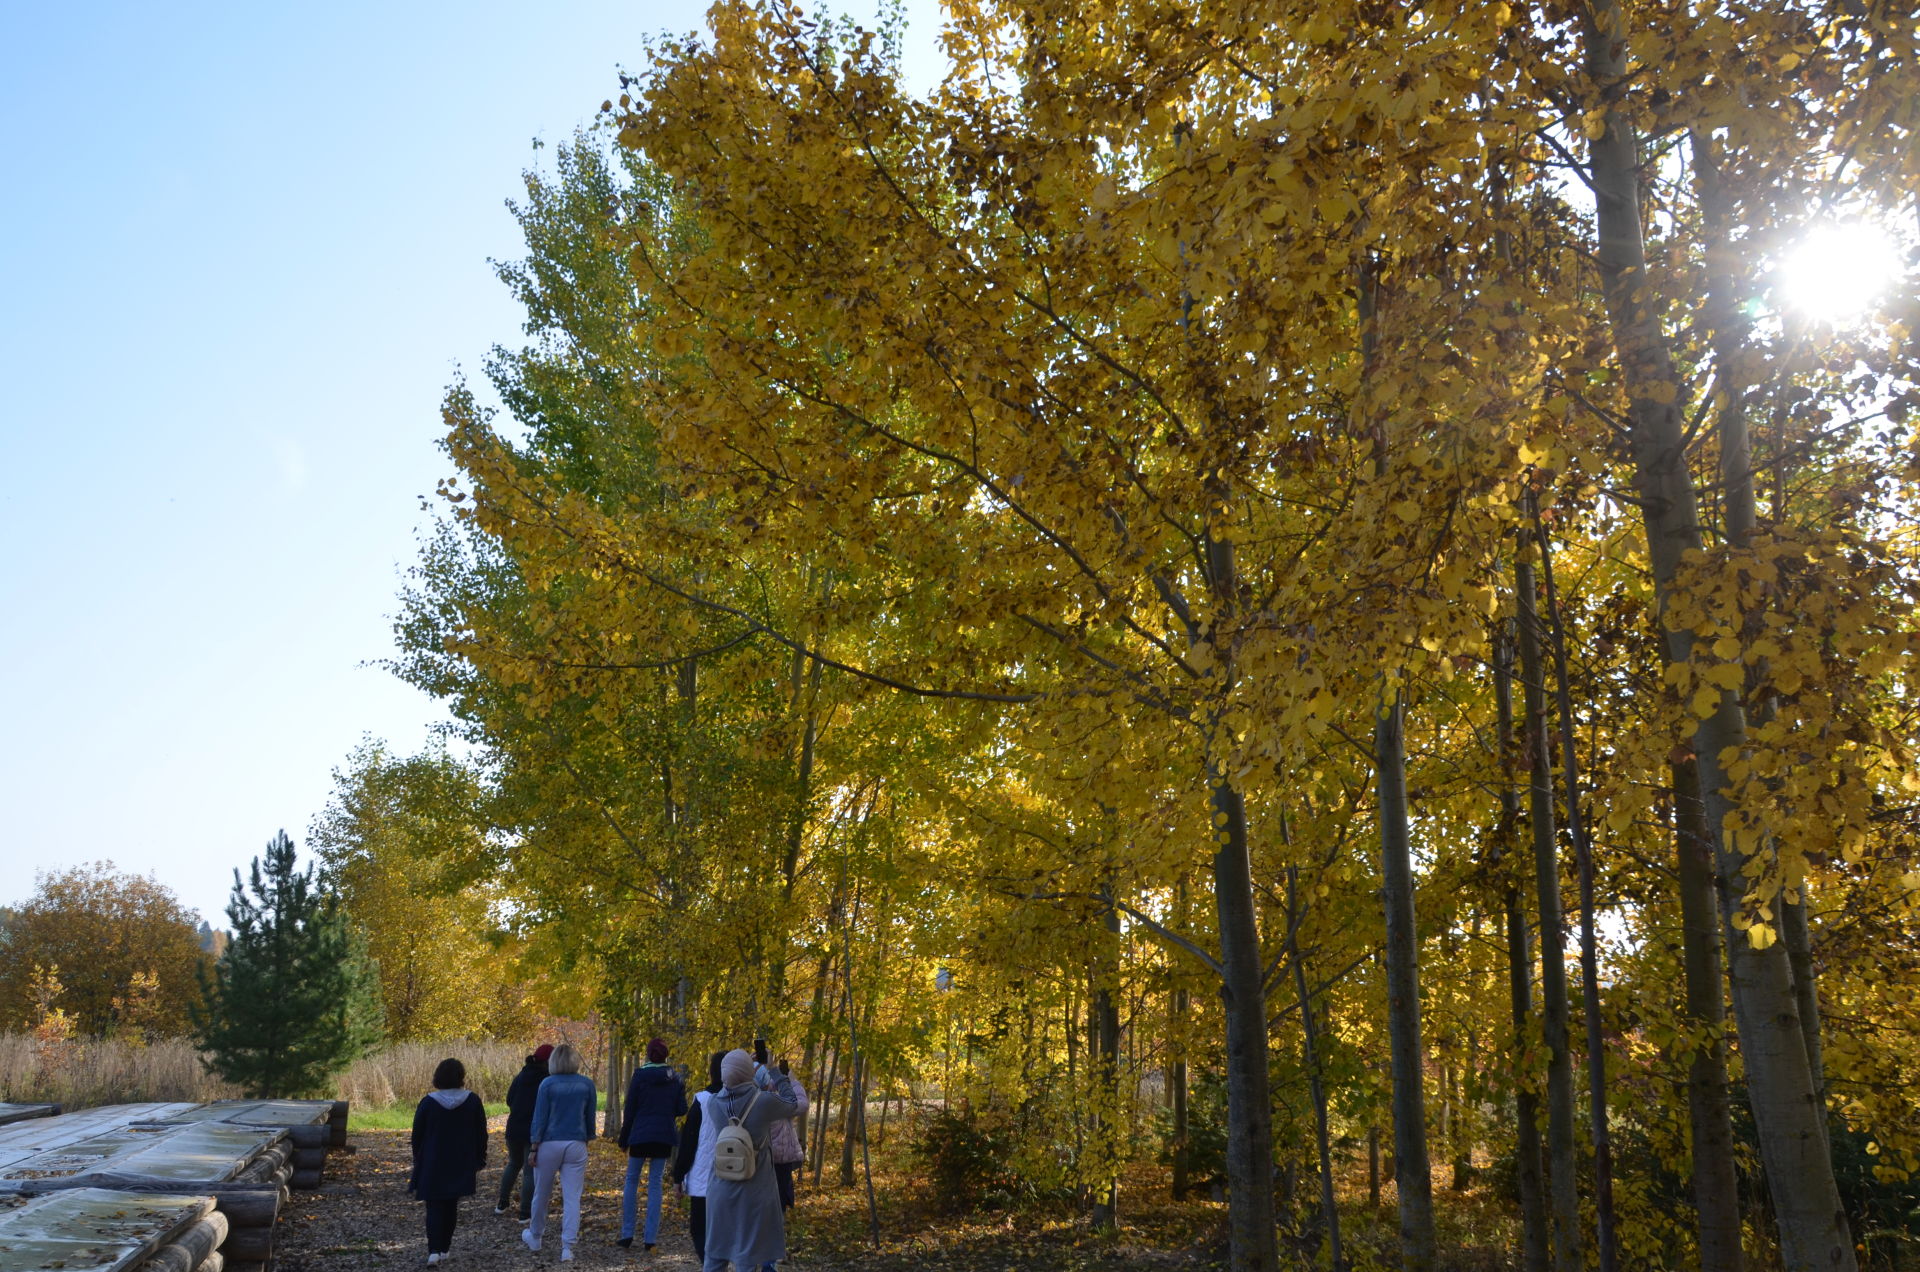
(732, 1152)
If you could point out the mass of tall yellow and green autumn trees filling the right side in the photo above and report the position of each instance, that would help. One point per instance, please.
(1291, 554)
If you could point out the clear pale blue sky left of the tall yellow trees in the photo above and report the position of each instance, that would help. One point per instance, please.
(243, 253)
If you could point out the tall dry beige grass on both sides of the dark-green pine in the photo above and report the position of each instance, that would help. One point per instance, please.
(107, 1071)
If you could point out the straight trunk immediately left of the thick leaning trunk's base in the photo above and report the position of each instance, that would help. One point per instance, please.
(1710, 1115)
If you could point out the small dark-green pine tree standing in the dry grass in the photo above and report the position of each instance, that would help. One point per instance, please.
(295, 998)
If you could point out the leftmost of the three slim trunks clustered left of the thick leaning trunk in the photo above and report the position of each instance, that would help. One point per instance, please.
(1520, 973)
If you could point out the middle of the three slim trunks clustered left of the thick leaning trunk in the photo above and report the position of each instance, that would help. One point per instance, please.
(1556, 1017)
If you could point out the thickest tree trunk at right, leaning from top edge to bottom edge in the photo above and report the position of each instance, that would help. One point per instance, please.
(1781, 1087)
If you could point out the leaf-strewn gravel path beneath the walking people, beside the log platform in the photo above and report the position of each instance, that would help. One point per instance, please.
(364, 1219)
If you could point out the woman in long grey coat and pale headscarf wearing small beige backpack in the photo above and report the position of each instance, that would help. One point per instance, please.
(746, 1225)
